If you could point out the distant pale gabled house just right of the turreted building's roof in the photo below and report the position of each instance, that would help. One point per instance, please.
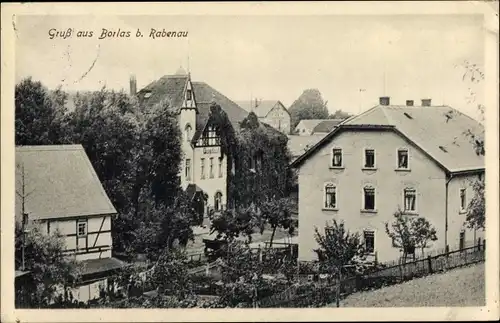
(272, 112)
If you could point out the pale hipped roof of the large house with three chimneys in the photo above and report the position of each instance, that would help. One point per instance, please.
(439, 131)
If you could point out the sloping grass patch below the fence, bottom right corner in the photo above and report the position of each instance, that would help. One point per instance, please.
(459, 287)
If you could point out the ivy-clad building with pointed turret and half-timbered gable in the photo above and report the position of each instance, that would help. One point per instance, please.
(203, 171)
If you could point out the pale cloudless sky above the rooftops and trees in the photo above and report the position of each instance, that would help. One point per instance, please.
(266, 57)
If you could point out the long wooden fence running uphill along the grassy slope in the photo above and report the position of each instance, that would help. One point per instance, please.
(322, 294)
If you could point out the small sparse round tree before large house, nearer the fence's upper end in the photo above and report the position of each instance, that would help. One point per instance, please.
(409, 233)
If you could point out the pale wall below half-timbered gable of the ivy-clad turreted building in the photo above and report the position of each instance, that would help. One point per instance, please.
(210, 185)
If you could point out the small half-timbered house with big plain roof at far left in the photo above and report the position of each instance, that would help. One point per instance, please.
(57, 189)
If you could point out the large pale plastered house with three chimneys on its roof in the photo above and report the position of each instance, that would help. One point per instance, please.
(415, 158)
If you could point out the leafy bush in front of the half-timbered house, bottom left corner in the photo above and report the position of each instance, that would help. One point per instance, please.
(50, 270)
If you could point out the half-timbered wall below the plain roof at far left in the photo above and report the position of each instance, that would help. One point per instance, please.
(97, 236)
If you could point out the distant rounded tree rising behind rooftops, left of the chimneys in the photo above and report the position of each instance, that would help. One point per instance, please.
(309, 105)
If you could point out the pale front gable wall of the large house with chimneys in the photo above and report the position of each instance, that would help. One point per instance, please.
(425, 176)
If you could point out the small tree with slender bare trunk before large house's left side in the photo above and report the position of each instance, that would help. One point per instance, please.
(338, 250)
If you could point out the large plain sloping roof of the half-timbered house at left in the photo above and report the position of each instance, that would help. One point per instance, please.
(59, 182)
